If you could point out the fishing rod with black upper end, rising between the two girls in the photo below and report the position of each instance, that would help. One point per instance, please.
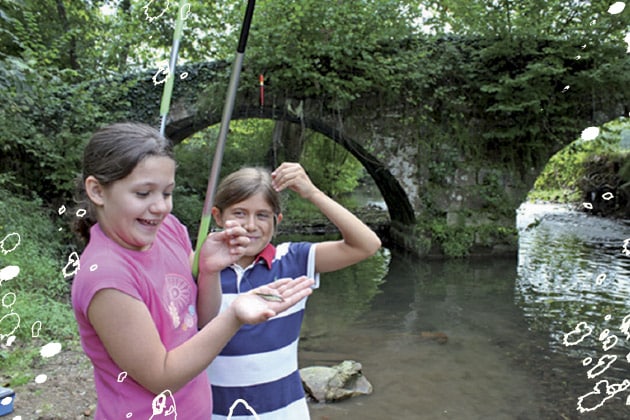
(228, 107)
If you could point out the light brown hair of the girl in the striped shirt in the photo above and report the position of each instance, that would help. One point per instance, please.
(244, 183)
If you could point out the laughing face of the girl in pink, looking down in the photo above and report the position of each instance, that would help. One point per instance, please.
(131, 210)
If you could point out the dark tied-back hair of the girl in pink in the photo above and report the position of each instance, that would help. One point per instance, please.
(110, 155)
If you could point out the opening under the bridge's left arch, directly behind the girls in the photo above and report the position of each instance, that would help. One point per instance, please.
(258, 145)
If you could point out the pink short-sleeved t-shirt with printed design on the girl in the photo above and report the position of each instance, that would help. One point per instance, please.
(160, 277)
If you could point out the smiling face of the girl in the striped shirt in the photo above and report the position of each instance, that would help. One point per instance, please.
(256, 215)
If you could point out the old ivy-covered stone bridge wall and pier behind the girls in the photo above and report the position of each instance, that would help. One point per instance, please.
(415, 173)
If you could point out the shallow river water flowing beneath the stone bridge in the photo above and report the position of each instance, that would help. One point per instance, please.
(540, 336)
